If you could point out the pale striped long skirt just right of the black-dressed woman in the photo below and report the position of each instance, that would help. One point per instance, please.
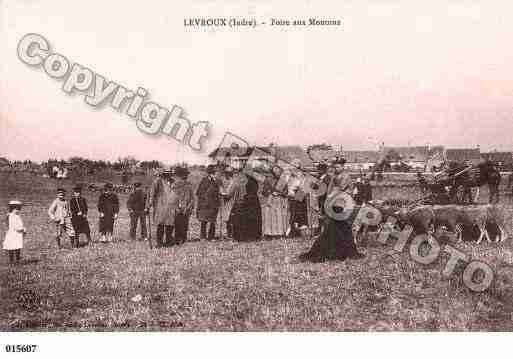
(275, 216)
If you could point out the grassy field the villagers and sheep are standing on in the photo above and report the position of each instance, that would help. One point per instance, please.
(230, 286)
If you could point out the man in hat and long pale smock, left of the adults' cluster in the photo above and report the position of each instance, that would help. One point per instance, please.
(163, 200)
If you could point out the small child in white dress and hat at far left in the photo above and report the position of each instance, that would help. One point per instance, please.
(13, 242)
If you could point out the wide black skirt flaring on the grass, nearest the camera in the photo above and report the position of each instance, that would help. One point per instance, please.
(335, 243)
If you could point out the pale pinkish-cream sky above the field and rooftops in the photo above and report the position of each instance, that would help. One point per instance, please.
(398, 72)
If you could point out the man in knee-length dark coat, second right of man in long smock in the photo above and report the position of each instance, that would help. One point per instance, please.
(209, 198)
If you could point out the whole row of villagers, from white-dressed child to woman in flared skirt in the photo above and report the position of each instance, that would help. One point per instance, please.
(228, 202)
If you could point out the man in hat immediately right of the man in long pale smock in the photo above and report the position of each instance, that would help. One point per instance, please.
(185, 193)
